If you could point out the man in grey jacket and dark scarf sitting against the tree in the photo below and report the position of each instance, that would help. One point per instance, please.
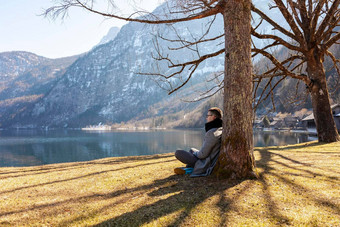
(201, 162)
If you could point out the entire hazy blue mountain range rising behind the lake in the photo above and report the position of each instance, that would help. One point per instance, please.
(108, 84)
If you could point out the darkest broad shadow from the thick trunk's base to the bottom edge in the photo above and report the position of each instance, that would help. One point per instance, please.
(185, 194)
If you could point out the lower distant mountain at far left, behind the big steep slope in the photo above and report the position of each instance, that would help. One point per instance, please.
(24, 79)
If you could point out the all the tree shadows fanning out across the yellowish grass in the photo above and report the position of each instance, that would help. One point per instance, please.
(177, 198)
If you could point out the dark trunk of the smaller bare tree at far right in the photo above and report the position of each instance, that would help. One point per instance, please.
(322, 111)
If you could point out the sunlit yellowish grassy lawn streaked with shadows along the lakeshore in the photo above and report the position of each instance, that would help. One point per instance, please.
(298, 186)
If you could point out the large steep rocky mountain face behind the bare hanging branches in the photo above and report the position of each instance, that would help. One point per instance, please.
(105, 85)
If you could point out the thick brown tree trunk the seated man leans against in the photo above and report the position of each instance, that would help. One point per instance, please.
(236, 157)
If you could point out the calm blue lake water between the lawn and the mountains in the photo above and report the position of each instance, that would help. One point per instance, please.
(38, 147)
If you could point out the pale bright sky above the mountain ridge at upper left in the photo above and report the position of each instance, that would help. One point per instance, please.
(22, 29)
